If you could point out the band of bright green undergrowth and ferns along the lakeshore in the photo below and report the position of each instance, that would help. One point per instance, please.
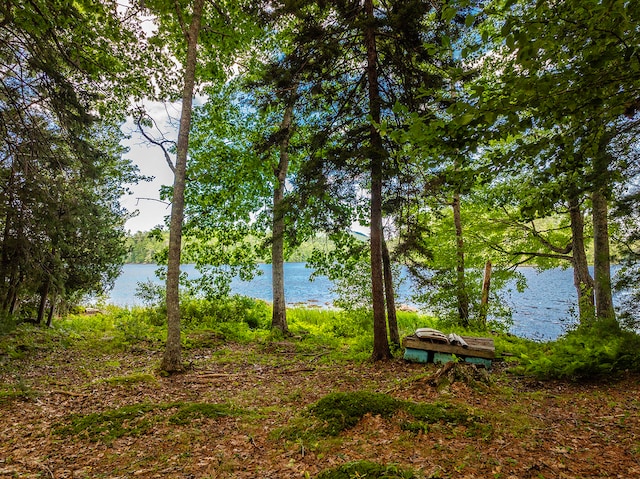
(596, 348)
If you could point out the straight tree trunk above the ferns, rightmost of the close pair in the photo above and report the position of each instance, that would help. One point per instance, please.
(601, 257)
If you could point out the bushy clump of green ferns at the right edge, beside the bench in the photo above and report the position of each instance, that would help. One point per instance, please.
(595, 349)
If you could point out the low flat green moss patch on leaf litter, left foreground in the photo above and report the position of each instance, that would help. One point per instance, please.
(136, 419)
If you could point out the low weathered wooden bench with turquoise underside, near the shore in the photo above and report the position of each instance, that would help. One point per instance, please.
(478, 351)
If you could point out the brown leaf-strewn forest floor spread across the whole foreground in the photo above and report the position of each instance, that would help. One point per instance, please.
(87, 411)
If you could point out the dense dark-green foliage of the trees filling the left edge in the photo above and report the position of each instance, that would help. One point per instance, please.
(63, 171)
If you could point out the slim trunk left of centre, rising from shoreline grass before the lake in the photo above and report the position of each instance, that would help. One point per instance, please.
(279, 316)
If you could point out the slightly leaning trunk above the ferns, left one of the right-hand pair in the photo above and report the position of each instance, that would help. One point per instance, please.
(581, 277)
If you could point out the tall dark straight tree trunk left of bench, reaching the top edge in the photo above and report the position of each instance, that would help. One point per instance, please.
(380, 339)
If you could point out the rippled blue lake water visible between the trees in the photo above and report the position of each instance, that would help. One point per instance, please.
(542, 311)
